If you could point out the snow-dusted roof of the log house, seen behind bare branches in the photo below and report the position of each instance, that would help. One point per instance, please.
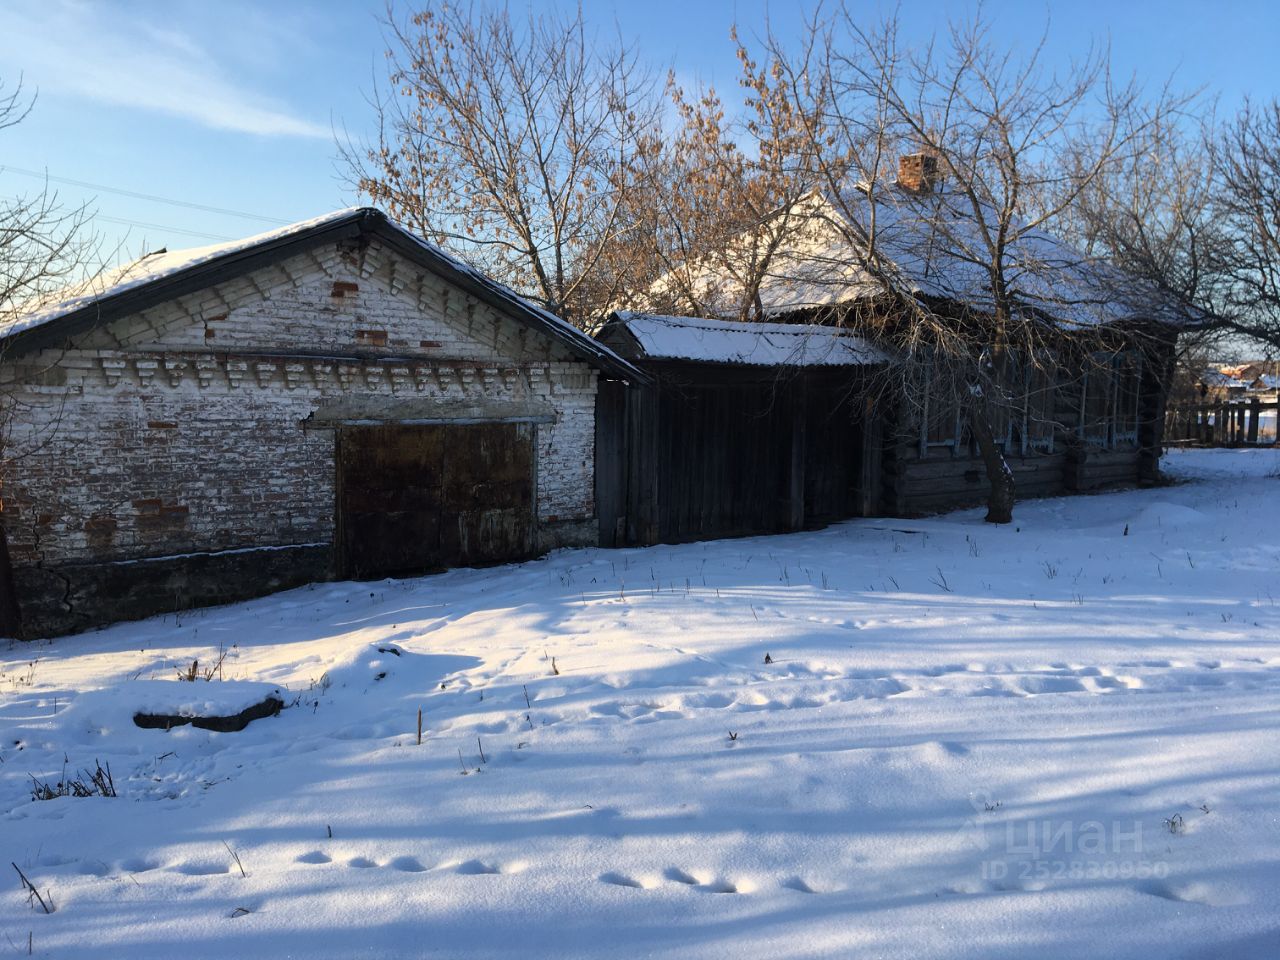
(932, 248)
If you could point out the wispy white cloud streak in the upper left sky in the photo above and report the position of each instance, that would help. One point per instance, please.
(138, 58)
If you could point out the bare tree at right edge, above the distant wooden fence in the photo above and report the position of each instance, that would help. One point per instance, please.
(1195, 212)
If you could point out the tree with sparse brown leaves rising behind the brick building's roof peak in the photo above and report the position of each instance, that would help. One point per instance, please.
(506, 143)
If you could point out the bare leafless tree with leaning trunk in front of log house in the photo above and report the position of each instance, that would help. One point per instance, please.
(956, 264)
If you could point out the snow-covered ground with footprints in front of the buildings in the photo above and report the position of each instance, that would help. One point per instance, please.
(1053, 740)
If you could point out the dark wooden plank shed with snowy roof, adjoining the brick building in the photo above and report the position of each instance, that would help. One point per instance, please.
(744, 429)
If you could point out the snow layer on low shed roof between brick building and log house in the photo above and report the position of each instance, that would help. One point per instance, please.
(747, 344)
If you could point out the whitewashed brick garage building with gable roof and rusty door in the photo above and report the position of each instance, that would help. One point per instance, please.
(336, 399)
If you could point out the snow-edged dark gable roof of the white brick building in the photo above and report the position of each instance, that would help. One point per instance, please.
(163, 277)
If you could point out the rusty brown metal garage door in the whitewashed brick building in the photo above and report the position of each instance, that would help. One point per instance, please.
(419, 499)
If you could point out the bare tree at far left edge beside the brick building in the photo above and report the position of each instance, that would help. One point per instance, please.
(44, 246)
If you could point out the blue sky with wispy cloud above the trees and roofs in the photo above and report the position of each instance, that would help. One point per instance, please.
(235, 104)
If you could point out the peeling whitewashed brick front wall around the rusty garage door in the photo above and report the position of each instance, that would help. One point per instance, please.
(179, 429)
